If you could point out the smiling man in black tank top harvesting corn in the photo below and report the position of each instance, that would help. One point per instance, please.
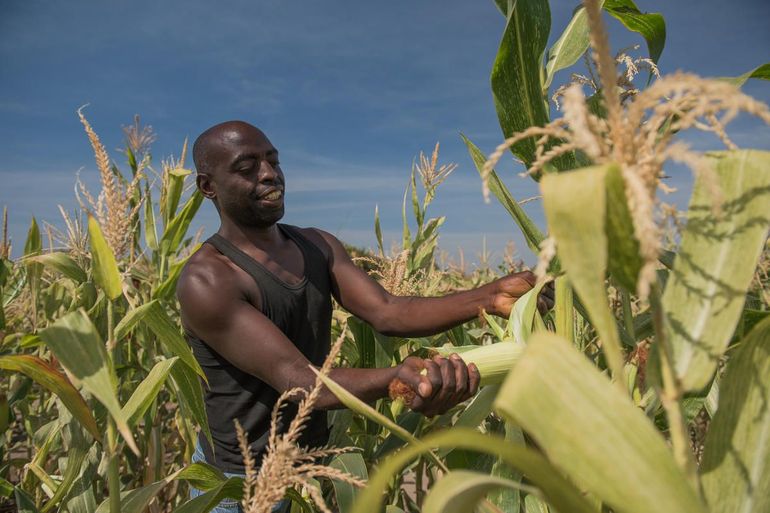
(256, 305)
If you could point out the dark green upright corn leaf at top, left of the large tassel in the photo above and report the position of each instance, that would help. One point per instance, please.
(516, 74)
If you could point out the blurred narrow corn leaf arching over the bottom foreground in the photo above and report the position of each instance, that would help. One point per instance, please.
(561, 493)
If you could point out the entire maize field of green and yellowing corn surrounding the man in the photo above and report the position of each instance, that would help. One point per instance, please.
(645, 389)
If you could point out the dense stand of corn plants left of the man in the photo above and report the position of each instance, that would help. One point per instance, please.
(101, 395)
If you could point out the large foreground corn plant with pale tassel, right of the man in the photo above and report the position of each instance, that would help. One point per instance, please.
(607, 424)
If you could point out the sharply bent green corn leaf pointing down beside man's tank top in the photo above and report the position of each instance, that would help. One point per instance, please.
(157, 320)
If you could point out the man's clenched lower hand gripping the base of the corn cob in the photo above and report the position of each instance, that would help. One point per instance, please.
(439, 383)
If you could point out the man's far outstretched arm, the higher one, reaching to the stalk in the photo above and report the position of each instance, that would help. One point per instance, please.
(418, 316)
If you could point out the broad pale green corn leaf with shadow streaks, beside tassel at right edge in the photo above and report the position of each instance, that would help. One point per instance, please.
(706, 291)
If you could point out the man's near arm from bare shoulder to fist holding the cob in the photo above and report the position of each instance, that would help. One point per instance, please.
(215, 310)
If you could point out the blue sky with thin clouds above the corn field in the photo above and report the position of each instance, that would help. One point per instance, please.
(349, 92)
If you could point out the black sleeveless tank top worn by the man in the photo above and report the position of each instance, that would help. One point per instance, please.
(303, 313)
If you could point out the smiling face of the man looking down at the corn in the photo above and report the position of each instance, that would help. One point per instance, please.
(247, 180)
